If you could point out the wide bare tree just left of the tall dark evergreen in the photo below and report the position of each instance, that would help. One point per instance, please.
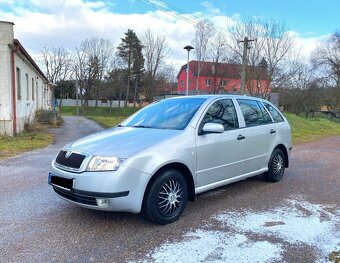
(92, 62)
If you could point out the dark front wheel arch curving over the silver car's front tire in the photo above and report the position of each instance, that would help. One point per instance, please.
(186, 173)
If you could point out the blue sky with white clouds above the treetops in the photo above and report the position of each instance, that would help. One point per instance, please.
(66, 23)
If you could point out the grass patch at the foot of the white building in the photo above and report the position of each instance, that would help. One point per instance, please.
(36, 138)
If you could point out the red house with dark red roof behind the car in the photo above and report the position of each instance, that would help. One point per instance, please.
(221, 78)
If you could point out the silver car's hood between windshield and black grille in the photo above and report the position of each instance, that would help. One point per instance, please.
(121, 142)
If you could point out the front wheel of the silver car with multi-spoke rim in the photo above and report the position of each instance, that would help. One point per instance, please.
(165, 197)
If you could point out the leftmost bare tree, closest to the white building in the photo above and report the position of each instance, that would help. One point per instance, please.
(57, 62)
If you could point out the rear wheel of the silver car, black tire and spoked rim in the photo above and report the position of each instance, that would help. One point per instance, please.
(276, 166)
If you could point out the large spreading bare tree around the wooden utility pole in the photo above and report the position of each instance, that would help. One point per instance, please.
(272, 42)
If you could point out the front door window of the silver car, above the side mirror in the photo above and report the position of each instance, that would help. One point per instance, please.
(223, 112)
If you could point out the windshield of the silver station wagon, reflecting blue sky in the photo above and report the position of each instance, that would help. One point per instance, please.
(172, 114)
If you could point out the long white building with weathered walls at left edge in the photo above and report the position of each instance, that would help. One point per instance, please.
(24, 88)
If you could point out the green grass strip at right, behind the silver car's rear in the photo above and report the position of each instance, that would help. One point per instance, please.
(311, 129)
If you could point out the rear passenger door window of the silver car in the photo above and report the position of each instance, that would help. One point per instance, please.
(253, 112)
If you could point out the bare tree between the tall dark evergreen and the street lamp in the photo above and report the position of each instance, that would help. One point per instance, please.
(155, 52)
